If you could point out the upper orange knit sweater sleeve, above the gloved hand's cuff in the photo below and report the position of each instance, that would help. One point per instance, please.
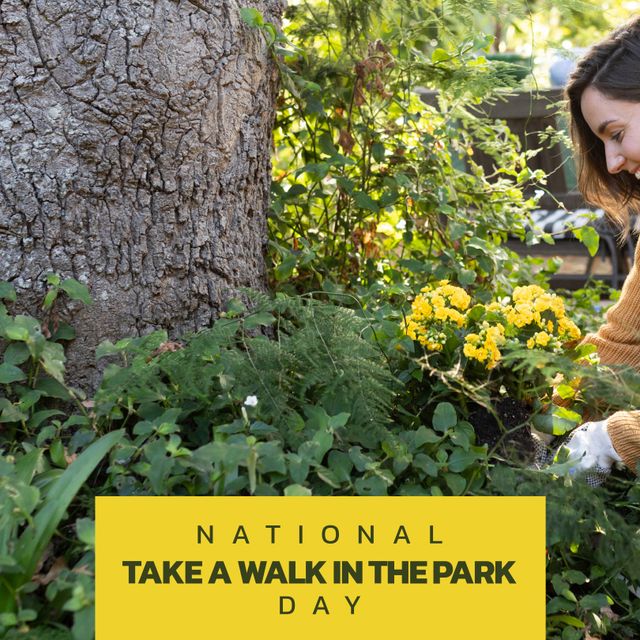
(618, 340)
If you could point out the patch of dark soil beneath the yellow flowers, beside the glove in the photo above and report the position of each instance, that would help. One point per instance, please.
(516, 442)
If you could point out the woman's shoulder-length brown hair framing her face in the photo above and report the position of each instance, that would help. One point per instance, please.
(611, 66)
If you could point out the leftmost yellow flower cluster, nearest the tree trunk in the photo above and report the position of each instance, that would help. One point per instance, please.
(440, 306)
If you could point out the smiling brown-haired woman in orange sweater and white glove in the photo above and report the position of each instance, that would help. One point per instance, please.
(604, 103)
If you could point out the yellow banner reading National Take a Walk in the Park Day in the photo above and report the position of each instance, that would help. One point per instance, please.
(320, 567)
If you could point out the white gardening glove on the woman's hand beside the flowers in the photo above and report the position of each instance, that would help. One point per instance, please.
(591, 449)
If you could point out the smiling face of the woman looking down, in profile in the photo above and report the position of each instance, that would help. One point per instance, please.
(617, 124)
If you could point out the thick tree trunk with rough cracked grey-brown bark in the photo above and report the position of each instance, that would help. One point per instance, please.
(134, 156)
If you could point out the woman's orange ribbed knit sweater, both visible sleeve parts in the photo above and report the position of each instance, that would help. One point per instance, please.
(618, 342)
